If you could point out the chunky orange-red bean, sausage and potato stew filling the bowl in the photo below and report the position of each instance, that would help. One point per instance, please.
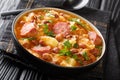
(58, 37)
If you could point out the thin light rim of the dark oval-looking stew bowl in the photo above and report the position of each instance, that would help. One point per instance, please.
(69, 12)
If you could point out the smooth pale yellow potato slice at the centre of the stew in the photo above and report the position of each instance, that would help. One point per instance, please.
(49, 41)
